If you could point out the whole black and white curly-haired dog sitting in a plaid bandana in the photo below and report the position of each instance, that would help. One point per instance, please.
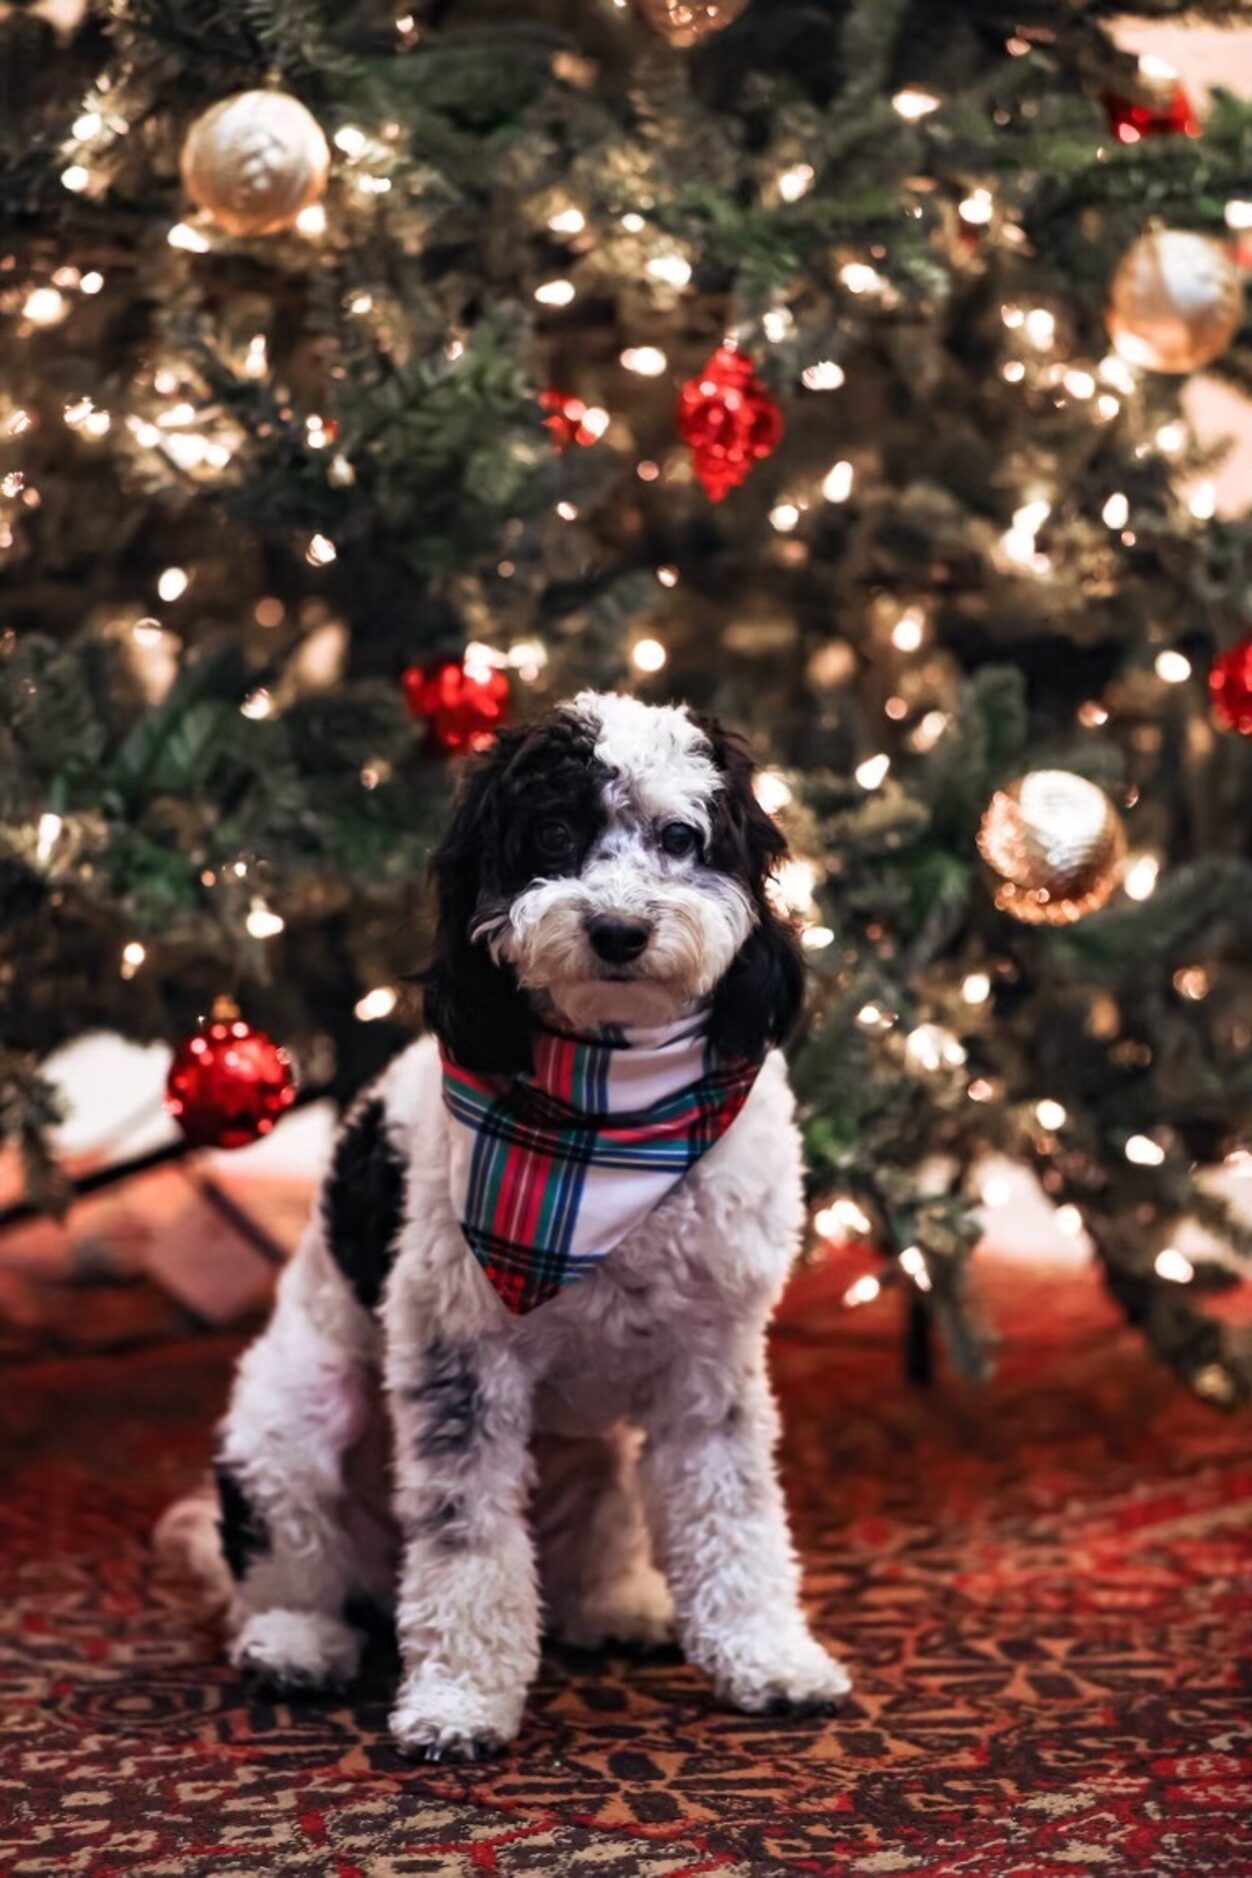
(543, 1265)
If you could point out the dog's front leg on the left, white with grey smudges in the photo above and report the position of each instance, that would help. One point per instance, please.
(468, 1616)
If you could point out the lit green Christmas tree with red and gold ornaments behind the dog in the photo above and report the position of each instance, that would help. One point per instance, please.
(371, 380)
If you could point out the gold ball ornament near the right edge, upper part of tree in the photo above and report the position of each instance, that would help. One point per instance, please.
(1176, 301)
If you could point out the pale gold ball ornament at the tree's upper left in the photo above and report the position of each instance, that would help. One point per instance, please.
(254, 162)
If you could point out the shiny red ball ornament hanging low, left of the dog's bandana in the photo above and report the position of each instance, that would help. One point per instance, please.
(230, 1085)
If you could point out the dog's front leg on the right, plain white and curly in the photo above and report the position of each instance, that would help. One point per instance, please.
(722, 1535)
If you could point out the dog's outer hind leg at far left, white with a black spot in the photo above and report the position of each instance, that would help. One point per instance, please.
(299, 1402)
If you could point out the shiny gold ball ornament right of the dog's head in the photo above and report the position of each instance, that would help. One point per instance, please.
(1056, 844)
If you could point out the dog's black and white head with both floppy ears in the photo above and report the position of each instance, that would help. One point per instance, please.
(609, 867)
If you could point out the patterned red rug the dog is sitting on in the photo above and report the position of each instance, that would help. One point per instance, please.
(1043, 1590)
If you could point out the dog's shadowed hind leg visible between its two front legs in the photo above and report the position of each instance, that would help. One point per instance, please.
(600, 1584)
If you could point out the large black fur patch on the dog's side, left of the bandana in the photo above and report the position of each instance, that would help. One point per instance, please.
(363, 1203)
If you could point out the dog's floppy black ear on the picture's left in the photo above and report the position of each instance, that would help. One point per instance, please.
(476, 1006)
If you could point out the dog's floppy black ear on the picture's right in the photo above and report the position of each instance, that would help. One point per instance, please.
(761, 998)
